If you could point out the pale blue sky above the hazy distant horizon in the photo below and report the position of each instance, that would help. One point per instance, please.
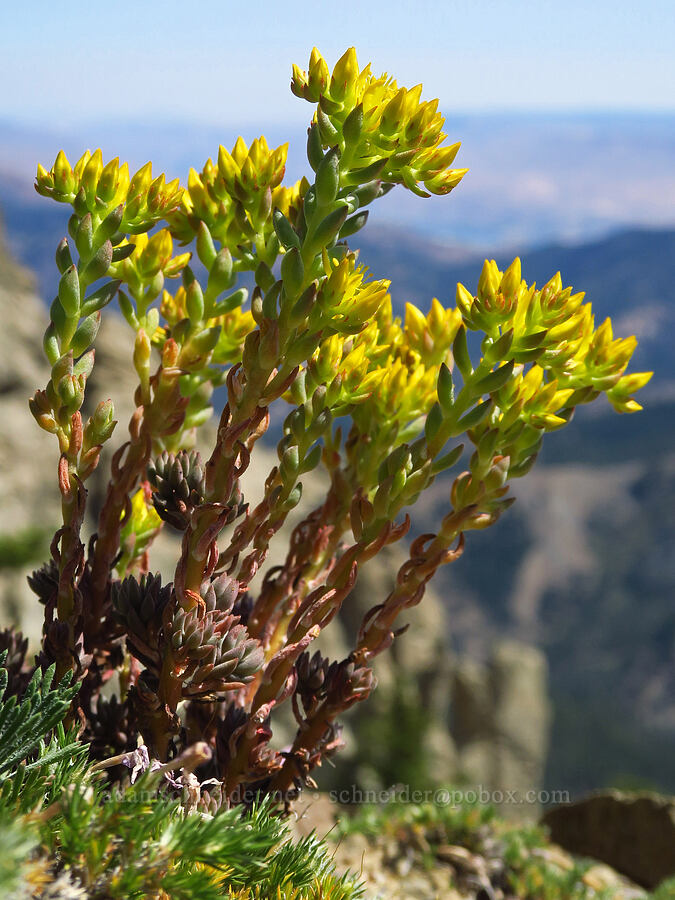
(63, 64)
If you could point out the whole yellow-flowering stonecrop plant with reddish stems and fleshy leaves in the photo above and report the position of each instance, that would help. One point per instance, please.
(384, 405)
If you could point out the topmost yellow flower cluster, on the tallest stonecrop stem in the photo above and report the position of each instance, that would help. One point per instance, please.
(383, 130)
